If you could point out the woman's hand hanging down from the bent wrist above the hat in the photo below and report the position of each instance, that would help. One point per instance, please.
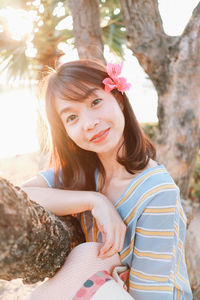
(111, 226)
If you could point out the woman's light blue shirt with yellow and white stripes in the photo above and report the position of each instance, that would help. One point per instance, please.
(154, 243)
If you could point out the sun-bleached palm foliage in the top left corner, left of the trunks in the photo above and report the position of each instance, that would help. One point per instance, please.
(44, 39)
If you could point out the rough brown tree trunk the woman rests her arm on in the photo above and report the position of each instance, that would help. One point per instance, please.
(34, 243)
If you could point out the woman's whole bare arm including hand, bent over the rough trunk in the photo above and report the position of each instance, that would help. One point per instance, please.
(64, 202)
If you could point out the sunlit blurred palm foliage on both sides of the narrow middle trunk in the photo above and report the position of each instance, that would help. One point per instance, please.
(45, 37)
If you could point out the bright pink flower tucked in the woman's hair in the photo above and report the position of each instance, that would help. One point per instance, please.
(114, 81)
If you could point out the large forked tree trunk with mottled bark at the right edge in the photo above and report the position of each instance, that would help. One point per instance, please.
(173, 65)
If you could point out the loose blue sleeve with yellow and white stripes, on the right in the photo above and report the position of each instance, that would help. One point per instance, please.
(151, 274)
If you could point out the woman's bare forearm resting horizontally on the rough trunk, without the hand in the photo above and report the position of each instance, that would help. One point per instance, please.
(62, 202)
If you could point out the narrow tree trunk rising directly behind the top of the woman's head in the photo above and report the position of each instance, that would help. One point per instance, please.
(86, 28)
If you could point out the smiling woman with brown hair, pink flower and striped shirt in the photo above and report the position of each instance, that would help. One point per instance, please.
(104, 169)
